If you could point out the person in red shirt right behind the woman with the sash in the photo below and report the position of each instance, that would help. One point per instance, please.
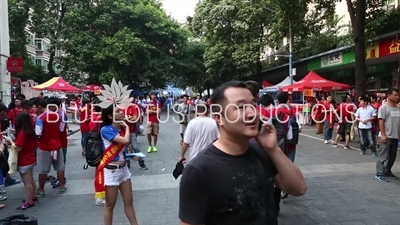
(132, 118)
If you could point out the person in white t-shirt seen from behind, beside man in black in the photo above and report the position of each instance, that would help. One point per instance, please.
(201, 131)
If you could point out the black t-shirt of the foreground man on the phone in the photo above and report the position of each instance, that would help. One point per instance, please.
(221, 189)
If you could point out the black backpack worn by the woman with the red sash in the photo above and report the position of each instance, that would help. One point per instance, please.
(94, 150)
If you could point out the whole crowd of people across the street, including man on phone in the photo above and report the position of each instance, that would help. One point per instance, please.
(257, 156)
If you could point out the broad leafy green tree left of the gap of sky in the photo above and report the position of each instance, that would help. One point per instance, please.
(131, 40)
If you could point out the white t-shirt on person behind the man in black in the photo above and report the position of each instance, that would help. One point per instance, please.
(200, 132)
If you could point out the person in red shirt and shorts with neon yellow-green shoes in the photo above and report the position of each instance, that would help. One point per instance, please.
(153, 110)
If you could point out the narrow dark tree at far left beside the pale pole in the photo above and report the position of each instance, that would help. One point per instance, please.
(18, 21)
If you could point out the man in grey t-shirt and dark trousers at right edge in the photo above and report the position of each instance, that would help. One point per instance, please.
(389, 126)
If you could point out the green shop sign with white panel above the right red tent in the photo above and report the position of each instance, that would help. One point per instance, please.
(331, 60)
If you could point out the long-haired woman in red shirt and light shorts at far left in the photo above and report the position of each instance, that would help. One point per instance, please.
(25, 144)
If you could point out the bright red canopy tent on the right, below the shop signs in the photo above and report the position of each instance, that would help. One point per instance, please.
(315, 82)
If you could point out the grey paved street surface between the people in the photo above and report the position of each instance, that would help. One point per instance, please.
(341, 189)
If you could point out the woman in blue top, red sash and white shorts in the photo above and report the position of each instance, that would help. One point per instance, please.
(112, 170)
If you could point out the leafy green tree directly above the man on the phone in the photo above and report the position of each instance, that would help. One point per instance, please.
(234, 34)
